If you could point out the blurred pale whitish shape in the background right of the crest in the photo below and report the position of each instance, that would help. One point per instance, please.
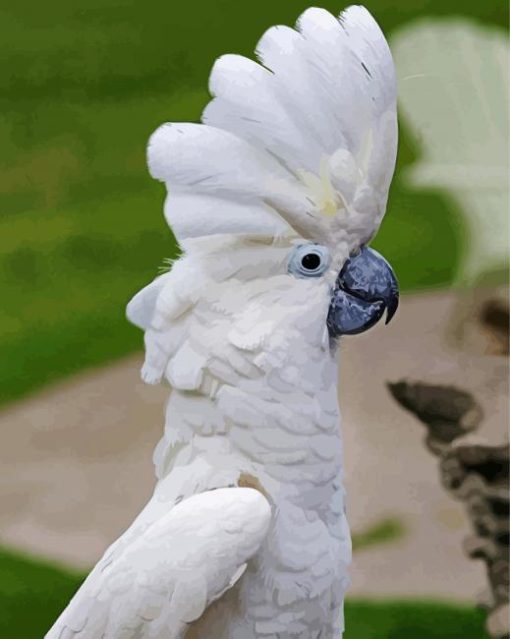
(454, 94)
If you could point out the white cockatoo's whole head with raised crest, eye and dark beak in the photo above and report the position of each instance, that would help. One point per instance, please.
(275, 197)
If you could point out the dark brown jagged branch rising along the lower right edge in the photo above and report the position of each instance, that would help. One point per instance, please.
(476, 473)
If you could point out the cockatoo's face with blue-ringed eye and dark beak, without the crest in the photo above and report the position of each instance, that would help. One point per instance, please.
(289, 282)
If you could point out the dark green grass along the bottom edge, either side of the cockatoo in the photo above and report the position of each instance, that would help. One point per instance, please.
(33, 593)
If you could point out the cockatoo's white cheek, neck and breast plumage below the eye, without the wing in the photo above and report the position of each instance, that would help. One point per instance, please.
(254, 400)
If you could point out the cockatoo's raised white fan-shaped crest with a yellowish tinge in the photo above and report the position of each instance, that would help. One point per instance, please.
(303, 143)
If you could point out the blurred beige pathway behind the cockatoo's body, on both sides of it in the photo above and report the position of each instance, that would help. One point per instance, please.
(75, 462)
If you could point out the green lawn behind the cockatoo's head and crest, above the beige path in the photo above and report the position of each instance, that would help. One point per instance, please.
(82, 86)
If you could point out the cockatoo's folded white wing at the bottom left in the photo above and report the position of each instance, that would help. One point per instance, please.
(156, 584)
